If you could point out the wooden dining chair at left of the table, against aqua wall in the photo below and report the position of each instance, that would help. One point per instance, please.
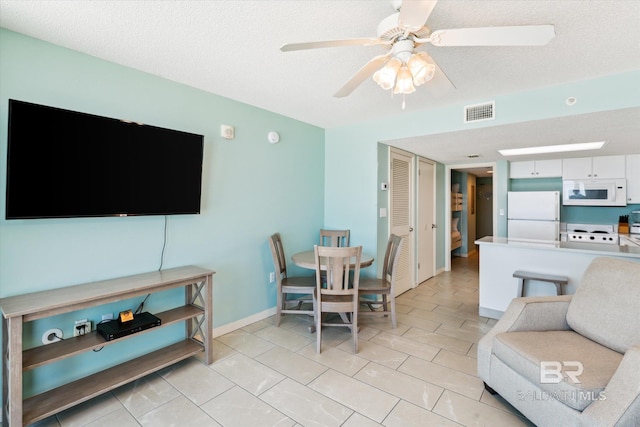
(300, 288)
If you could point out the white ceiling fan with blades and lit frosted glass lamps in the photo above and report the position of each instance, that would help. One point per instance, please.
(402, 67)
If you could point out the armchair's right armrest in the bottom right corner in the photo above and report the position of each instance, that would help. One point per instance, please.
(620, 401)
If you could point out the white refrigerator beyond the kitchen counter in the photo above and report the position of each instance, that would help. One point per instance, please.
(533, 216)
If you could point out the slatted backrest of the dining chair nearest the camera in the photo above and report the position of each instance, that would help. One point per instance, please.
(338, 264)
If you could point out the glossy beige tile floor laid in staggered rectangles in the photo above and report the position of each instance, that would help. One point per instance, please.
(423, 373)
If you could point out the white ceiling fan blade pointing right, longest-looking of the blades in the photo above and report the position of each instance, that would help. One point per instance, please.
(528, 35)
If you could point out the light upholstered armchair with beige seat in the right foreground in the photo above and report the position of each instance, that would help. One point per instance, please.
(571, 360)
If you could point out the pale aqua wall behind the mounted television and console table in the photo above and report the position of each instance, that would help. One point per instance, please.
(251, 189)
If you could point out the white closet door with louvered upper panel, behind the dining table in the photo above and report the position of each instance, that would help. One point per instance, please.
(401, 217)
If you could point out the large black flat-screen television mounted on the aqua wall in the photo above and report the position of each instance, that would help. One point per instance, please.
(63, 163)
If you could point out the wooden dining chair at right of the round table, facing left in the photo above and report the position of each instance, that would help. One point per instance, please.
(385, 286)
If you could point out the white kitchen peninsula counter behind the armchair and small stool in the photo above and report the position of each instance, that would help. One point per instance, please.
(500, 258)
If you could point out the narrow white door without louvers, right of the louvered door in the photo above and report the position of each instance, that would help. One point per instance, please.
(426, 220)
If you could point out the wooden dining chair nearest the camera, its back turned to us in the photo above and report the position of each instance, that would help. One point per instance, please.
(338, 294)
